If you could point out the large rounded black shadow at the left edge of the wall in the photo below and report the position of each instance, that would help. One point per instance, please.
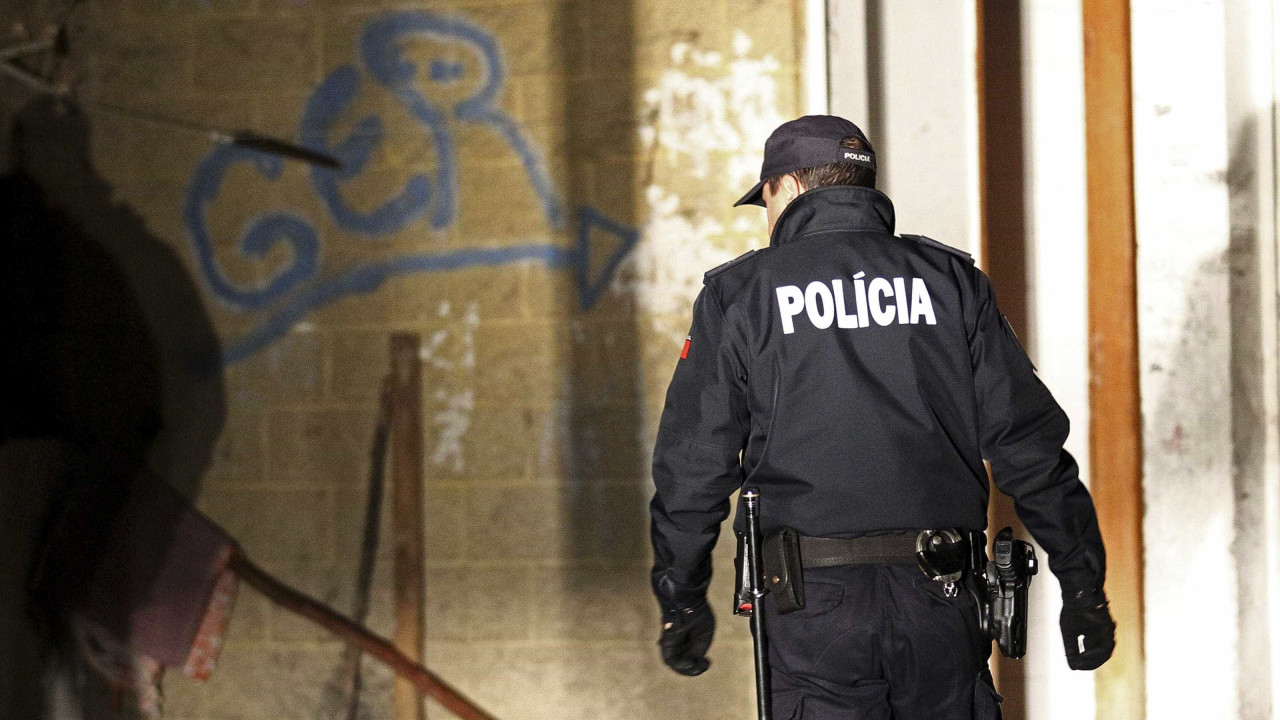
(108, 364)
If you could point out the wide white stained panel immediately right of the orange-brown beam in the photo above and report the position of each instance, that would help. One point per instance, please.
(1181, 160)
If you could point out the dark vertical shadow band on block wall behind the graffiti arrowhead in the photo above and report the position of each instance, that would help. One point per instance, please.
(606, 476)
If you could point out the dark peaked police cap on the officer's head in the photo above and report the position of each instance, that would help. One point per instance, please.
(808, 143)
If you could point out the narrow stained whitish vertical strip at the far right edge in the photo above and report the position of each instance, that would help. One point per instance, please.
(1251, 98)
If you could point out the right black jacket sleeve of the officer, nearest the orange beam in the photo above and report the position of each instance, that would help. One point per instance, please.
(1022, 431)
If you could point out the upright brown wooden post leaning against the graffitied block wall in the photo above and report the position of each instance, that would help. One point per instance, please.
(408, 513)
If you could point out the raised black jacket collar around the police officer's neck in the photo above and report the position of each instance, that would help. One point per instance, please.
(835, 208)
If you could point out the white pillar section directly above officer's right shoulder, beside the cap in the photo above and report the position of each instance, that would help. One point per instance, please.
(917, 66)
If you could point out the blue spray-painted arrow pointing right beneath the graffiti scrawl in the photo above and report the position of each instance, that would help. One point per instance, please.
(592, 263)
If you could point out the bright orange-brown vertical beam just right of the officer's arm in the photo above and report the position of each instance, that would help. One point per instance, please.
(1116, 429)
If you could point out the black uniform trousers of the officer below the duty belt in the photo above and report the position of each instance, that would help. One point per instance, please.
(879, 642)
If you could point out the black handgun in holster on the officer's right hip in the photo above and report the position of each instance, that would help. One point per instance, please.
(1009, 578)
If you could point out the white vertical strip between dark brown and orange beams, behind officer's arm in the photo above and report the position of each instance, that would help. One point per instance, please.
(1058, 299)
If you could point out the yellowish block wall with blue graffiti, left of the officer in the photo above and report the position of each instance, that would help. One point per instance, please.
(606, 142)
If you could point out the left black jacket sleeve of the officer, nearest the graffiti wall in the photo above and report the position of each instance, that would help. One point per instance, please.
(697, 458)
